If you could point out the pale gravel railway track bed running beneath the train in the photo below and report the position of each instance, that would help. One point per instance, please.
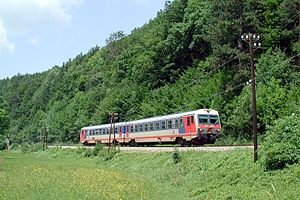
(168, 149)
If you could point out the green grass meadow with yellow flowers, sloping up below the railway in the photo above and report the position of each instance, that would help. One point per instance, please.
(65, 174)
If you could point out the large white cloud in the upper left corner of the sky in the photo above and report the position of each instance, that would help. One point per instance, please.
(32, 16)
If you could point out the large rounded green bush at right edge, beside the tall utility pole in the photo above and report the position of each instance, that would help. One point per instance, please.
(281, 146)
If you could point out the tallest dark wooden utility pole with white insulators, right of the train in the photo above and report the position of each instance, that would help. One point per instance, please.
(250, 37)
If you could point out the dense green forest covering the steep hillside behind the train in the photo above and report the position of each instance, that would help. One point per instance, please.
(190, 56)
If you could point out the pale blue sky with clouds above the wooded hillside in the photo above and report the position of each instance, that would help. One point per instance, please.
(36, 35)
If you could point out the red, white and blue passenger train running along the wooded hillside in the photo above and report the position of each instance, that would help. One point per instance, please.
(196, 127)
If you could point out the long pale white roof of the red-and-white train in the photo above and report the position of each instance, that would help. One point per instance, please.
(157, 118)
